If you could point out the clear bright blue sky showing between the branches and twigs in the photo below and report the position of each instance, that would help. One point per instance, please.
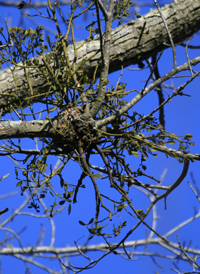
(182, 117)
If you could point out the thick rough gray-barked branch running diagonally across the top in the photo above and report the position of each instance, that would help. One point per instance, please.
(131, 43)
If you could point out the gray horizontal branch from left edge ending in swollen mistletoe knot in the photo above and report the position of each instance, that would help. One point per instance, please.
(65, 129)
